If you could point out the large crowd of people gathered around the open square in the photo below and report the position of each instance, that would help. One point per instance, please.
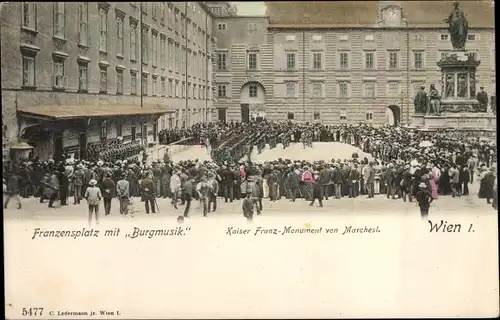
(405, 164)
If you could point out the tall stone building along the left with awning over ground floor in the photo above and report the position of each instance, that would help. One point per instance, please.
(72, 72)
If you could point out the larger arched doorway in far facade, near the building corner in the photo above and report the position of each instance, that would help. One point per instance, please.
(252, 101)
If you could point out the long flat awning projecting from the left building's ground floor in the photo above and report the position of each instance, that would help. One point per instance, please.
(62, 112)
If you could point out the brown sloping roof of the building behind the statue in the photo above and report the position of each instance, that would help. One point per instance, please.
(480, 13)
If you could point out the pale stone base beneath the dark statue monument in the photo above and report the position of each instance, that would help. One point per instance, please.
(482, 124)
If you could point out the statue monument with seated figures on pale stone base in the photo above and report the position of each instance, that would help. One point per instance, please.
(457, 107)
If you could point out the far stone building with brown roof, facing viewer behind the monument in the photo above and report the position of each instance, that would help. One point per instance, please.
(341, 62)
